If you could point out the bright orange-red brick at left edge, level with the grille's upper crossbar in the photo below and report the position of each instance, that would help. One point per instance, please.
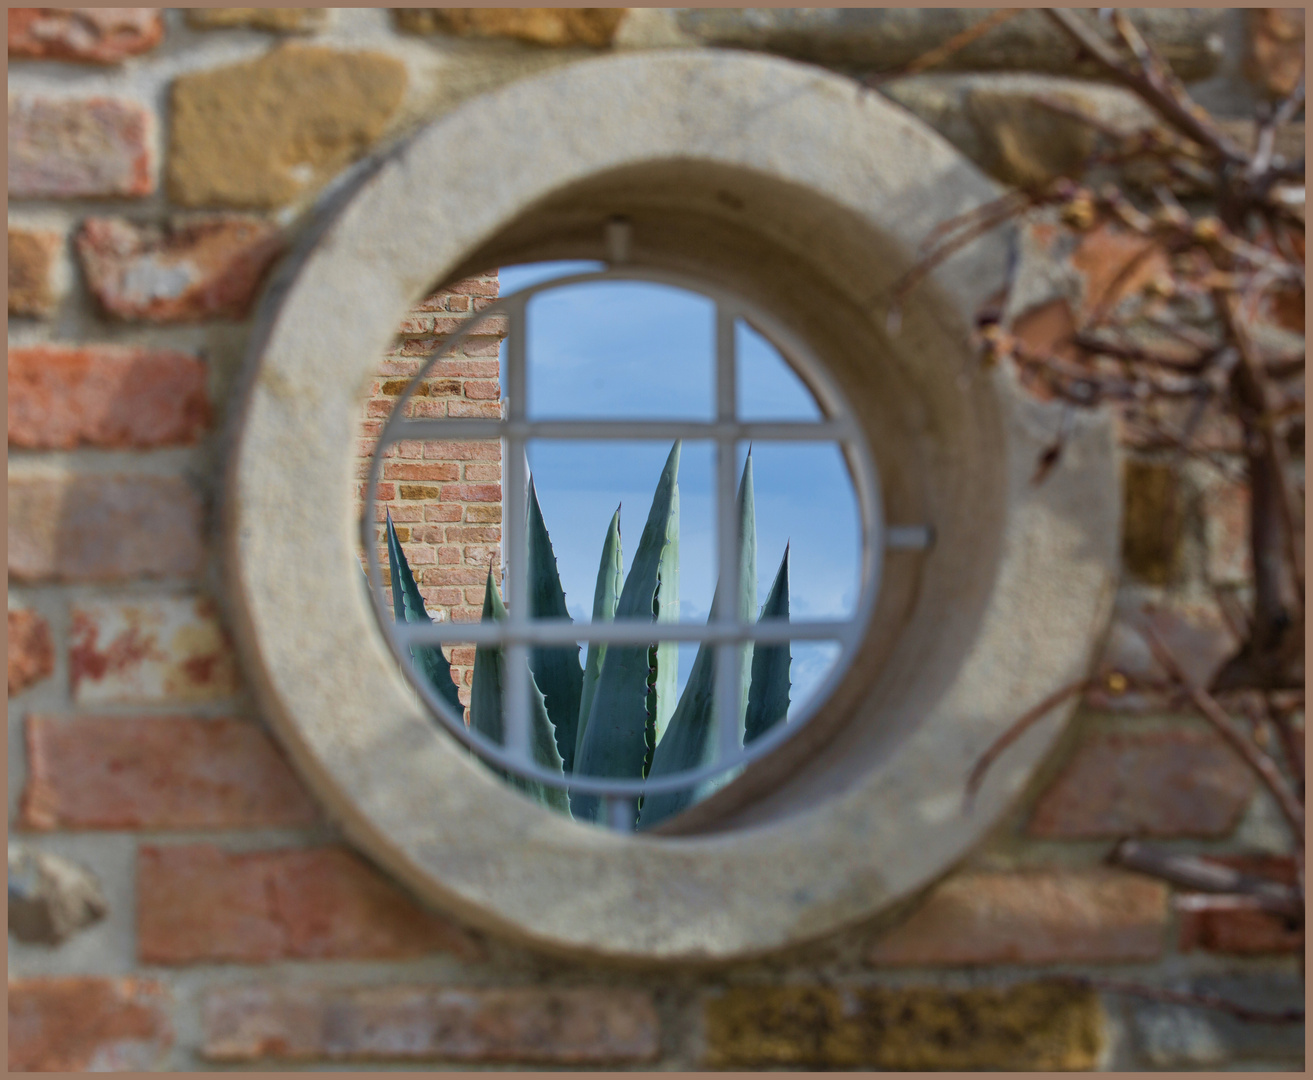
(106, 396)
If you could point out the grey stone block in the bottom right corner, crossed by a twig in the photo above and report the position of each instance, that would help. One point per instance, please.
(1178, 1037)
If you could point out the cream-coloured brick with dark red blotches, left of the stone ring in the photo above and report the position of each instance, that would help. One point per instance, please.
(149, 650)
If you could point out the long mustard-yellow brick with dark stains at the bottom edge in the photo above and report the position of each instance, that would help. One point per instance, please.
(1043, 1026)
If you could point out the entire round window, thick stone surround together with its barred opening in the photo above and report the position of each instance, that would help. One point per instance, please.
(785, 205)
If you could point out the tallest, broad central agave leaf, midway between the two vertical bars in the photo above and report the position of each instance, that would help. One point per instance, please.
(614, 741)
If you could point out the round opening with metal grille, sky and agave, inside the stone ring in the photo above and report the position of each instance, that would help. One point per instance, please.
(631, 712)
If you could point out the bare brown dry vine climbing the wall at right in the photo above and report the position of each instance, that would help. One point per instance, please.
(1228, 221)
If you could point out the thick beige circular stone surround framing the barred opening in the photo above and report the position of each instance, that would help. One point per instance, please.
(808, 196)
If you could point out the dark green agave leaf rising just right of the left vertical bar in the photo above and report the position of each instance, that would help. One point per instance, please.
(556, 669)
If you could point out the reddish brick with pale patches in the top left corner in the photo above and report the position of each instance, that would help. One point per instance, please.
(99, 36)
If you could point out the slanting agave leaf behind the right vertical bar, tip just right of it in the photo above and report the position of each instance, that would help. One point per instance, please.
(689, 741)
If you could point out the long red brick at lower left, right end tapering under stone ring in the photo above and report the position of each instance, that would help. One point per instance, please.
(200, 905)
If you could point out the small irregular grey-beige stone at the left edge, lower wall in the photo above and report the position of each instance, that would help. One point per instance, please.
(51, 898)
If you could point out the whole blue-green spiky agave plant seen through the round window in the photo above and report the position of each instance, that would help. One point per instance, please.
(616, 715)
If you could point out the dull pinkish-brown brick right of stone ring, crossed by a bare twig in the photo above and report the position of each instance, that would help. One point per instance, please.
(1130, 679)
